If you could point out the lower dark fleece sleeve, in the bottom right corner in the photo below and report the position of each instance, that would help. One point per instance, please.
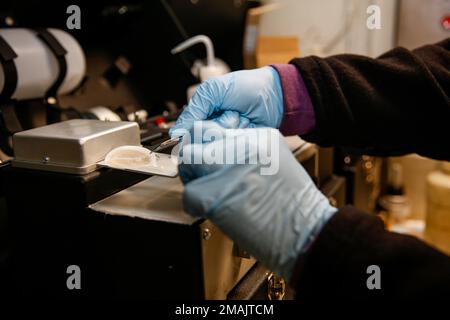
(336, 264)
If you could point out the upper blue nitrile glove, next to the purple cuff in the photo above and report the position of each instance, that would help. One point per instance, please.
(255, 94)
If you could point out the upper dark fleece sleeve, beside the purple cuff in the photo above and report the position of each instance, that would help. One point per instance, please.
(395, 104)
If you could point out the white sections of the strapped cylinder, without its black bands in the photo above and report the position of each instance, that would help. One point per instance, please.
(37, 67)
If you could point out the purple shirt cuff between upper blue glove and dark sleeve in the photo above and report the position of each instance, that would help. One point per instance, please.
(298, 115)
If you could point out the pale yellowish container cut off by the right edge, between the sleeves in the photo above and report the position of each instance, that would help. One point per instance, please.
(437, 230)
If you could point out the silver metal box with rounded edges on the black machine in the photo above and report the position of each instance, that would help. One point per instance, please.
(73, 146)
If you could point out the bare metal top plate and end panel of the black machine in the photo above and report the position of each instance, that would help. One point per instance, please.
(160, 199)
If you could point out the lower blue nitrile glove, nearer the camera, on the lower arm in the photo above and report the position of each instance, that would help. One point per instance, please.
(275, 215)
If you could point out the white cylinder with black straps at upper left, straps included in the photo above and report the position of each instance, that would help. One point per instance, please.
(39, 56)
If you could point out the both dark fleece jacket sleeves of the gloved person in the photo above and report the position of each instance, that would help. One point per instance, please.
(396, 104)
